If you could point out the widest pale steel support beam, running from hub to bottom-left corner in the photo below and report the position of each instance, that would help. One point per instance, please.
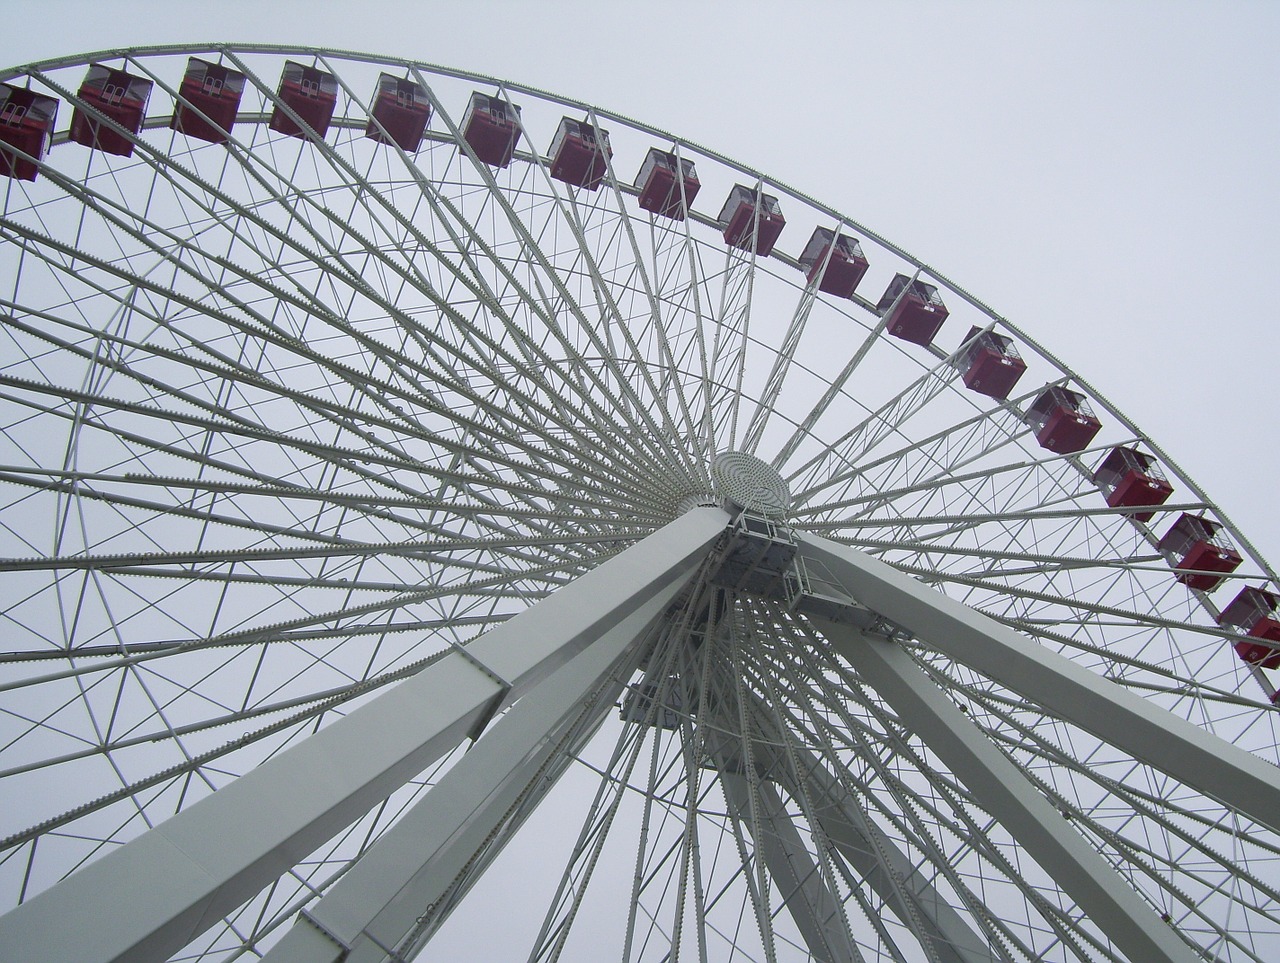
(156, 894)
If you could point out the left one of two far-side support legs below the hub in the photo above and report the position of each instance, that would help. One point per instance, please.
(796, 874)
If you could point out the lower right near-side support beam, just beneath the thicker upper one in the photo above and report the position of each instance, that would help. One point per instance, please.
(1011, 797)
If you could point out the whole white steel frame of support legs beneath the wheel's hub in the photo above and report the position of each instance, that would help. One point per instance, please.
(162, 891)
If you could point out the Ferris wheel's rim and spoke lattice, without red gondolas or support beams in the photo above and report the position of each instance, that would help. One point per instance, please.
(289, 419)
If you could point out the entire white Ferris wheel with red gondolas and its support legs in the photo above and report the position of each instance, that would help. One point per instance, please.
(400, 464)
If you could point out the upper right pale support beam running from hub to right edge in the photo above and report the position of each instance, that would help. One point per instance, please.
(1197, 759)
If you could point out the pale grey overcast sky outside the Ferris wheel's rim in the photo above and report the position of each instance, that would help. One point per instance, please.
(1101, 174)
